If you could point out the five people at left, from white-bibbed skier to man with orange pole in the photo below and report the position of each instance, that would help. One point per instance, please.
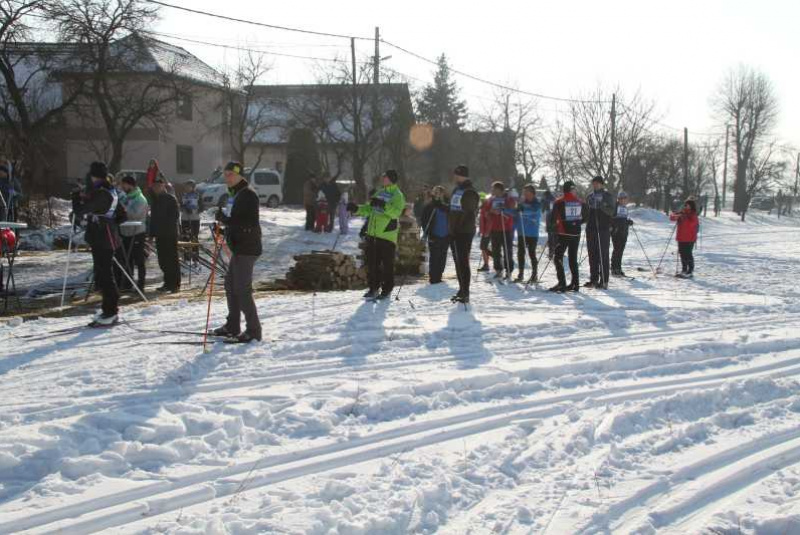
(117, 219)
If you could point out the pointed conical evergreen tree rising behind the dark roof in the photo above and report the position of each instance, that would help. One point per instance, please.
(439, 104)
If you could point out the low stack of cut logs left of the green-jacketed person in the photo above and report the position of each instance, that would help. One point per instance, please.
(325, 270)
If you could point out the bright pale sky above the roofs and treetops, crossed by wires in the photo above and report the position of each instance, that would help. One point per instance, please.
(675, 52)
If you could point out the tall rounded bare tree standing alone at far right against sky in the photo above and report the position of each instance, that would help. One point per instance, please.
(746, 99)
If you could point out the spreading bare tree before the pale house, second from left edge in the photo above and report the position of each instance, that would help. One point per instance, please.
(124, 89)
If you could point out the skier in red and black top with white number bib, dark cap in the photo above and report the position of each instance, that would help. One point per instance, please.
(568, 214)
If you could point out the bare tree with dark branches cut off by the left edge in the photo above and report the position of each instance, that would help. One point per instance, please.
(31, 106)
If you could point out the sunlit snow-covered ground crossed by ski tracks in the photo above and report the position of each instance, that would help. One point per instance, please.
(659, 406)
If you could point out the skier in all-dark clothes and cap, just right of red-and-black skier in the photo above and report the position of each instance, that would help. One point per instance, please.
(598, 236)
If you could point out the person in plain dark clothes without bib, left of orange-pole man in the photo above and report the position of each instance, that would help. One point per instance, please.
(165, 217)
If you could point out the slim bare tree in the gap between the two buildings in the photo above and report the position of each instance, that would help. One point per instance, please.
(249, 116)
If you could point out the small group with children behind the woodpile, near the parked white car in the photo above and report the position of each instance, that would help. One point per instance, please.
(324, 202)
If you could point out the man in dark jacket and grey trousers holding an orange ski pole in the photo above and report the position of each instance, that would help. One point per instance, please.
(240, 217)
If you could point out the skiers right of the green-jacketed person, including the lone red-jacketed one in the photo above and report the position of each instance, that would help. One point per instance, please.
(506, 219)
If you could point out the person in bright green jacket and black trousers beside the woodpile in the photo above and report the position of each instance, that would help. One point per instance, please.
(383, 213)
